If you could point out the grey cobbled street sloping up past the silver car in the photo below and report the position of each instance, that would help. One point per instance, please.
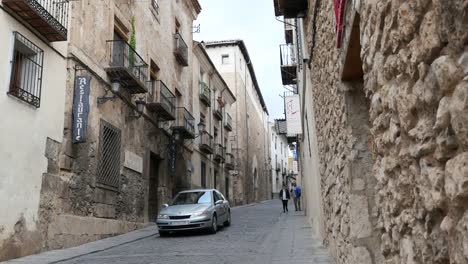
(258, 234)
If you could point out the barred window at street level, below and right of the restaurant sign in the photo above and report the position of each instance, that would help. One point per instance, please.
(109, 156)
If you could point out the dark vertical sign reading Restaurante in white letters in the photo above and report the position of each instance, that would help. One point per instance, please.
(81, 108)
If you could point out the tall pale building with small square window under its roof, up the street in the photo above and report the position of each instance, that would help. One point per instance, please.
(251, 179)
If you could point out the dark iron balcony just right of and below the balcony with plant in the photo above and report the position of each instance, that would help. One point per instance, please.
(161, 101)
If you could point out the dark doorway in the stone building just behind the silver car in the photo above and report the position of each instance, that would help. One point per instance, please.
(153, 205)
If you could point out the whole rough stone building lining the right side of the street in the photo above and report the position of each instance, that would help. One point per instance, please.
(384, 149)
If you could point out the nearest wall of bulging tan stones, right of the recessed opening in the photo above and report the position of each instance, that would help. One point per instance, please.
(415, 57)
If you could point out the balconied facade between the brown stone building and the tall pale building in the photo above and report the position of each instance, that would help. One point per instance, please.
(212, 158)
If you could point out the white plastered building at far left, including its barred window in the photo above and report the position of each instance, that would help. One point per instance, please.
(32, 90)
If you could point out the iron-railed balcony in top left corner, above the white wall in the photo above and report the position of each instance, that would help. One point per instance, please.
(48, 17)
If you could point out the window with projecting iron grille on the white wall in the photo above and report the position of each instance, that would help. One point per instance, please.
(26, 71)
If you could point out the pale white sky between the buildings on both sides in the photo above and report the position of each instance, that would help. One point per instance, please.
(254, 22)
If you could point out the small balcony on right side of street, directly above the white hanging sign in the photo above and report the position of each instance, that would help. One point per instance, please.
(288, 64)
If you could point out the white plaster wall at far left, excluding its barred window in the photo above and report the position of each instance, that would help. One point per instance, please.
(24, 130)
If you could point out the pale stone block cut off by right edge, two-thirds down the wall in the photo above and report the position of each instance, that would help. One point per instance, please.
(456, 182)
